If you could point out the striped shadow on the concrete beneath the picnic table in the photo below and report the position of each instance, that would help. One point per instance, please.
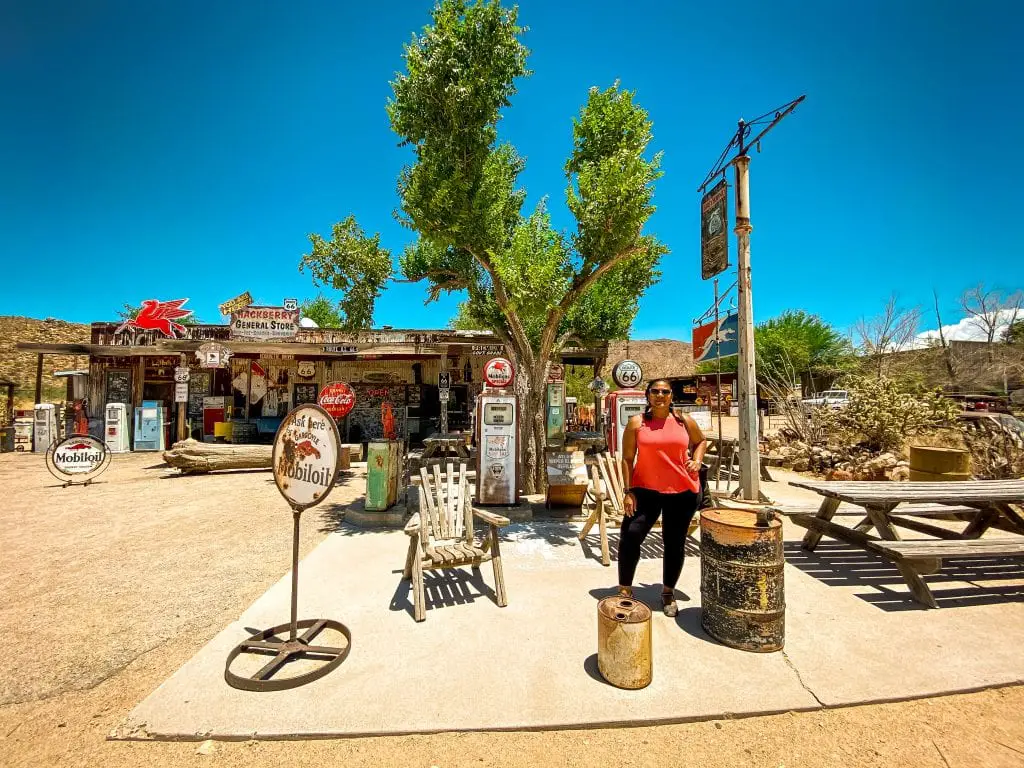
(844, 566)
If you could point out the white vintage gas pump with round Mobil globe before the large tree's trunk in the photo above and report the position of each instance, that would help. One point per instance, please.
(497, 438)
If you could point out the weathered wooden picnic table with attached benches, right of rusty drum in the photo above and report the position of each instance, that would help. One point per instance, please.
(888, 506)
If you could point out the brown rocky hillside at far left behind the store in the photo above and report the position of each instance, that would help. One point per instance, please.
(21, 367)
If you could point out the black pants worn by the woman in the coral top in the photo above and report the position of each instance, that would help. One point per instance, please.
(676, 511)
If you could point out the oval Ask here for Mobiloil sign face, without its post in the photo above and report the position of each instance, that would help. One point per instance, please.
(306, 456)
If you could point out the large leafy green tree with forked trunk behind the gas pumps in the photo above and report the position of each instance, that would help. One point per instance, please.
(535, 287)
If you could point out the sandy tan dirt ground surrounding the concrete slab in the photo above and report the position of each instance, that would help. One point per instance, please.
(107, 590)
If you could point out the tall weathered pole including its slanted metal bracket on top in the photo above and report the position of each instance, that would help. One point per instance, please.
(747, 381)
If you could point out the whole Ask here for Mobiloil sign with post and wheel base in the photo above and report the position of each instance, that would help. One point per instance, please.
(306, 467)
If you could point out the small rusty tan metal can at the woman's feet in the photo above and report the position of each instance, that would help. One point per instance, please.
(624, 643)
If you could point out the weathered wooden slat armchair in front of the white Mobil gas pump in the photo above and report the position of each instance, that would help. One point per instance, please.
(441, 535)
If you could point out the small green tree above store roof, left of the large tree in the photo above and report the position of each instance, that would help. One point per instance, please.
(354, 264)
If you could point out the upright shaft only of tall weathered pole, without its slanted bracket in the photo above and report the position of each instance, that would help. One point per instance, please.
(750, 475)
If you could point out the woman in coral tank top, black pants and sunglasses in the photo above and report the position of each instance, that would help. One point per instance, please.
(662, 455)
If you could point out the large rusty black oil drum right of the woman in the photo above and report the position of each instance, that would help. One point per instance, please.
(742, 588)
